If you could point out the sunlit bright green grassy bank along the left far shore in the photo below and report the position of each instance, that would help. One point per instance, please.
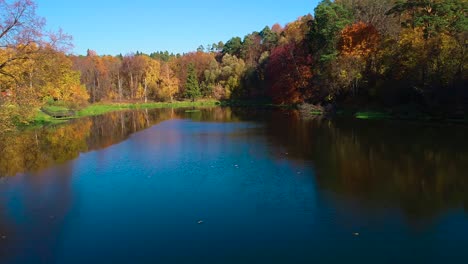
(42, 118)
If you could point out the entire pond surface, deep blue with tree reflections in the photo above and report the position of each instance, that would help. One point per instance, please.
(234, 186)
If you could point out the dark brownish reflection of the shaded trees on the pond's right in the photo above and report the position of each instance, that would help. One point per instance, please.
(421, 169)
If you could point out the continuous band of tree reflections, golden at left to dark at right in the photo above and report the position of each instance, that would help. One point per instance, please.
(421, 169)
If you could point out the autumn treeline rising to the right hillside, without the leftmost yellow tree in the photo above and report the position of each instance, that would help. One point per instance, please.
(358, 51)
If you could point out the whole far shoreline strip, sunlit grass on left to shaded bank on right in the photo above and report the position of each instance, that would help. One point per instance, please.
(50, 115)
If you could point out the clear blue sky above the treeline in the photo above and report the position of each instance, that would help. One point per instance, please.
(113, 27)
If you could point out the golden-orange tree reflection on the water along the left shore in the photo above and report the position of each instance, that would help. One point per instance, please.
(35, 150)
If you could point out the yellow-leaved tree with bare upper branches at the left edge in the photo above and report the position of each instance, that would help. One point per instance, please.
(23, 43)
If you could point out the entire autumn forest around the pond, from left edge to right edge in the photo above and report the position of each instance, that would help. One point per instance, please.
(404, 55)
